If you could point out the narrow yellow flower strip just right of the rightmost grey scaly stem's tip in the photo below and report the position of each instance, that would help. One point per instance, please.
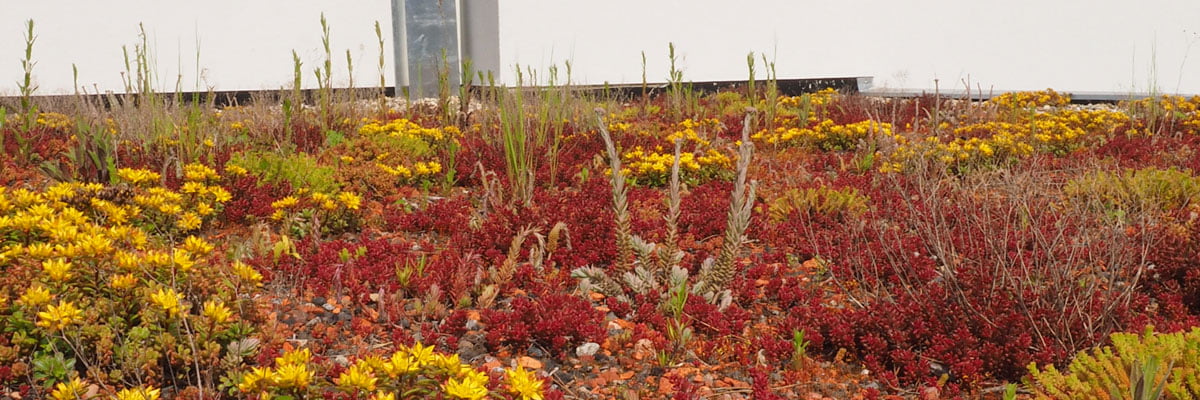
(826, 135)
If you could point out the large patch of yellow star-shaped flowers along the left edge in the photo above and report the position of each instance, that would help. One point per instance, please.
(91, 250)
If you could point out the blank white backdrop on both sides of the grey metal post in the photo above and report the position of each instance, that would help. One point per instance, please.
(1010, 45)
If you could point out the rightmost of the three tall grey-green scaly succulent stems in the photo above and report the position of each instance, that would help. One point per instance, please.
(713, 277)
